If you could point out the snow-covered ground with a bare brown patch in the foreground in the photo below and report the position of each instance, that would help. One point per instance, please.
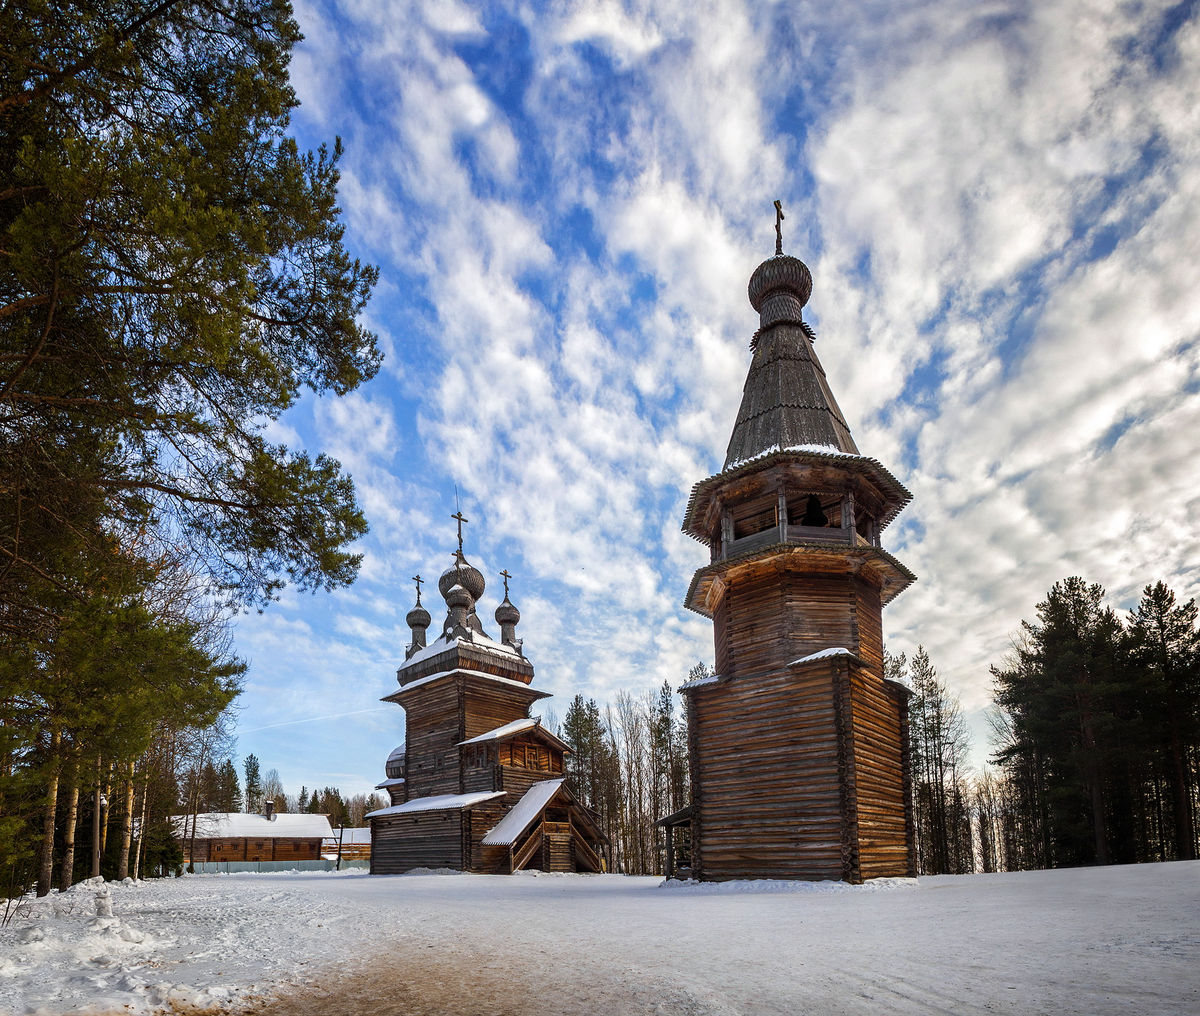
(1087, 941)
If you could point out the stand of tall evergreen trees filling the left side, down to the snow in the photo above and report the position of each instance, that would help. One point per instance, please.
(172, 280)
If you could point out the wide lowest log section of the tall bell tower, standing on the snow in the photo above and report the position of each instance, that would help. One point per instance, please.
(801, 775)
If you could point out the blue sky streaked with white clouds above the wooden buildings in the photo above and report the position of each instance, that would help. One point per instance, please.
(1000, 205)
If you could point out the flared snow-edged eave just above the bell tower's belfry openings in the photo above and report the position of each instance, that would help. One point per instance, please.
(893, 492)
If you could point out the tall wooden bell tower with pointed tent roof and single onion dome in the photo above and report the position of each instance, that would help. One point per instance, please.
(799, 747)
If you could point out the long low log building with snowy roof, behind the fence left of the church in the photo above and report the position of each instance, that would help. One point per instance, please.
(235, 837)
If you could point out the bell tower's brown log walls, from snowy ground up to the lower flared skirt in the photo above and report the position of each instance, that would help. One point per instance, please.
(797, 773)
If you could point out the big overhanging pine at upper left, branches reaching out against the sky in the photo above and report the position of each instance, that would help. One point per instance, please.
(172, 276)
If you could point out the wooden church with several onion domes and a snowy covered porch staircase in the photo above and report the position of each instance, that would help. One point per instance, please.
(478, 785)
